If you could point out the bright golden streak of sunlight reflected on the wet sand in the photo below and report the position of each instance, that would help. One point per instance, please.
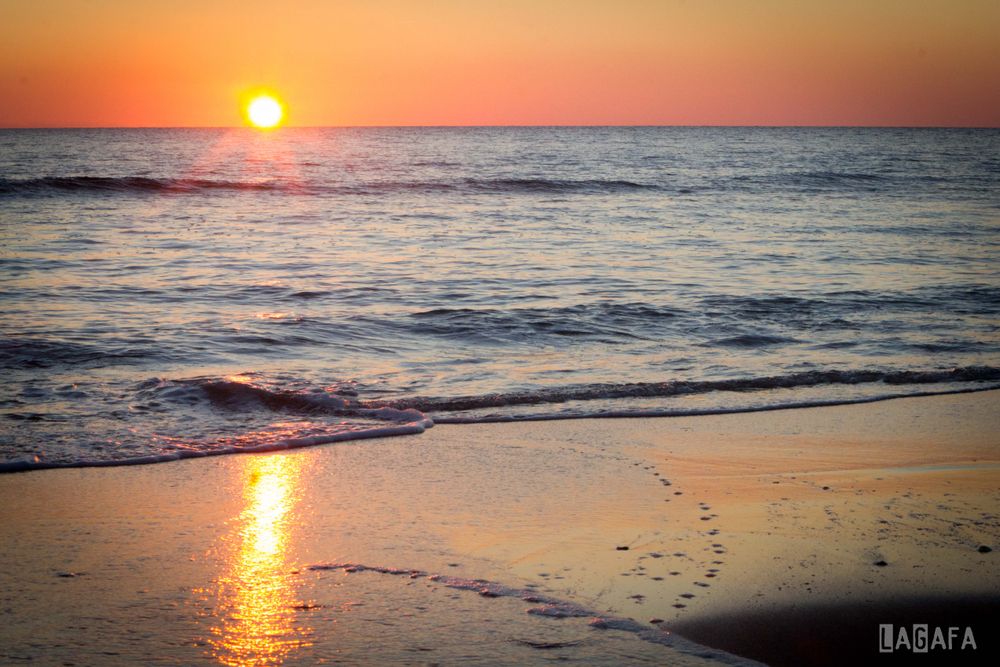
(256, 603)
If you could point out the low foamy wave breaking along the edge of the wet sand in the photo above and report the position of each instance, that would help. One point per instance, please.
(270, 416)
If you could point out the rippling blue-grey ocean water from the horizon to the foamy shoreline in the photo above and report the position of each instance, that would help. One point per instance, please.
(176, 293)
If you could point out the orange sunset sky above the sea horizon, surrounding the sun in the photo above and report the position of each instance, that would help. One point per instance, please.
(504, 62)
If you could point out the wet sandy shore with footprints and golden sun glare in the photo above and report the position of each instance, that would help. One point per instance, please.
(784, 536)
